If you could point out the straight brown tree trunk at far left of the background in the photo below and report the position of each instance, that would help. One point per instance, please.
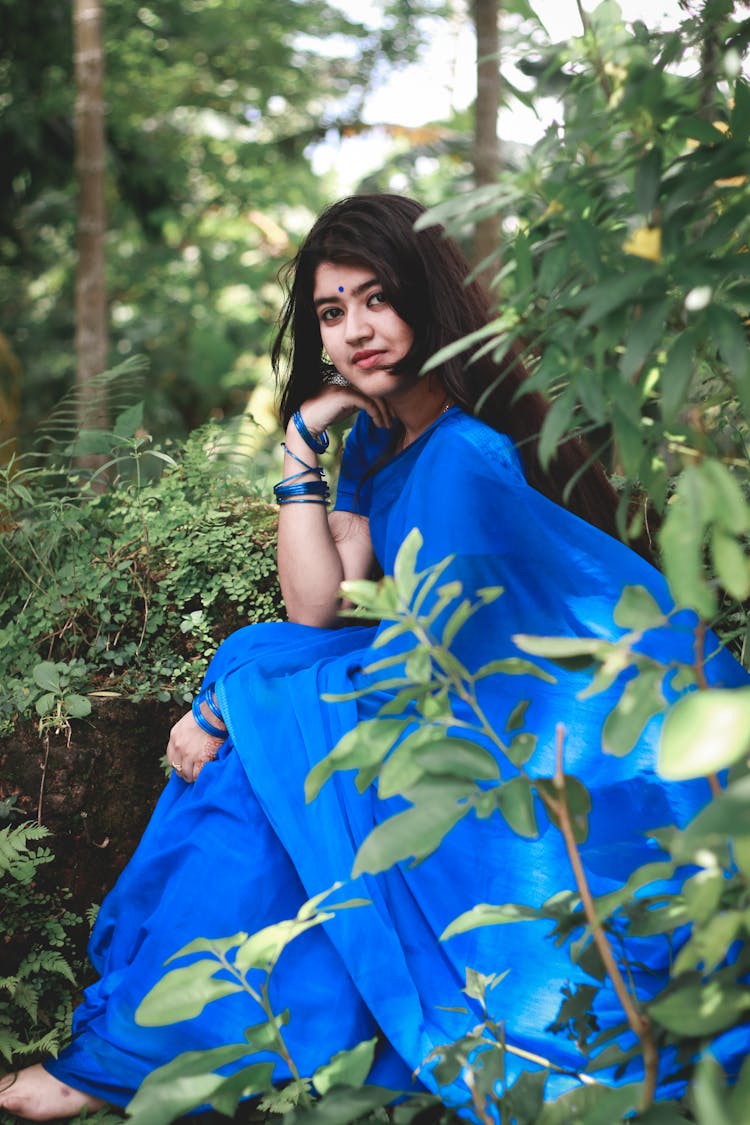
(91, 283)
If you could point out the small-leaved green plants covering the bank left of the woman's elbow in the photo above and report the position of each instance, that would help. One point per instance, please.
(129, 591)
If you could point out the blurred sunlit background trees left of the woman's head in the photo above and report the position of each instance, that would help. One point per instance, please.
(212, 114)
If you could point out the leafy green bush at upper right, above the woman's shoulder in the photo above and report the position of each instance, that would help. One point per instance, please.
(626, 277)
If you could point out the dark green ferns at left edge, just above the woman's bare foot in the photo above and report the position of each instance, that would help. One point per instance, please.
(38, 969)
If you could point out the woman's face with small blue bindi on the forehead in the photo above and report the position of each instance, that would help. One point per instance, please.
(363, 334)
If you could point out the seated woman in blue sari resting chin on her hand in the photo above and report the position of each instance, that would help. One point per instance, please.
(232, 845)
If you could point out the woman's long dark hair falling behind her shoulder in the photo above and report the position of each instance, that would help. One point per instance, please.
(426, 278)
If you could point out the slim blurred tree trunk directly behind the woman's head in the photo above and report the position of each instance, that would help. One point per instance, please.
(487, 145)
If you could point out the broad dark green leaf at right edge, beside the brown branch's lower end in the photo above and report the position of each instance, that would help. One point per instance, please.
(694, 1009)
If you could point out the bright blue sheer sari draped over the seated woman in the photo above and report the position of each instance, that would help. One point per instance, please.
(241, 849)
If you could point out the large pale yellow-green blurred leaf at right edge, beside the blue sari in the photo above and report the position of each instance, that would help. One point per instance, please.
(704, 732)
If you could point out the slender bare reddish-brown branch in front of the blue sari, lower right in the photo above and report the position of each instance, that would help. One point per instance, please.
(639, 1024)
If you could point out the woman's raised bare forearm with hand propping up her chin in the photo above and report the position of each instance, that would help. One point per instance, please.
(318, 552)
